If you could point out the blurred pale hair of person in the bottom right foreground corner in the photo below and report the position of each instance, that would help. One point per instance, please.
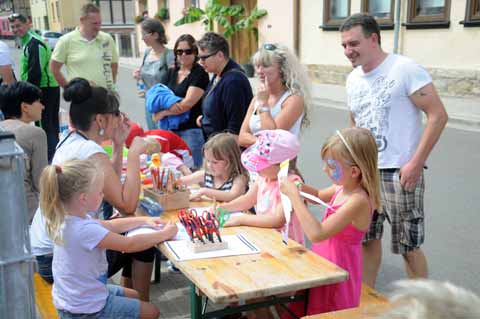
(428, 299)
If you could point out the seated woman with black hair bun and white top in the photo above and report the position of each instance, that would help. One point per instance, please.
(95, 117)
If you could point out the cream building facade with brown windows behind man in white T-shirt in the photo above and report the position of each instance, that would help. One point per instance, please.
(442, 35)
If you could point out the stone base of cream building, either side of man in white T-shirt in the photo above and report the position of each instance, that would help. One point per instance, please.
(449, 82)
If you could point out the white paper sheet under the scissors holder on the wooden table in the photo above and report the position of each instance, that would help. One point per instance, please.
(237, 245)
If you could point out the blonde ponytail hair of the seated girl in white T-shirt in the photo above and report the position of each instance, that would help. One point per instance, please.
(58, 185)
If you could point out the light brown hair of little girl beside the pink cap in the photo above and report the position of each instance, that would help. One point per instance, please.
(224, 146)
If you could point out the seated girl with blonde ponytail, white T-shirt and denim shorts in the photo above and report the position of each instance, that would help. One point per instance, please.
(67, 194)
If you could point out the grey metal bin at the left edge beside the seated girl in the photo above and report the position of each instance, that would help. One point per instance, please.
(16, 260)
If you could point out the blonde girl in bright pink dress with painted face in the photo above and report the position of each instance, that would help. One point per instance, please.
(351, 163)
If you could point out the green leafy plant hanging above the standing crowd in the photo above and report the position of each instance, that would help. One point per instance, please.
(223, 15)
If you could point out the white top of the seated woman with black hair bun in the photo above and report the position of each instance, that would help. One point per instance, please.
(73, 146)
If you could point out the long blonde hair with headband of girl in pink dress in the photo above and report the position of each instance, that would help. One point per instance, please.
(359, 149)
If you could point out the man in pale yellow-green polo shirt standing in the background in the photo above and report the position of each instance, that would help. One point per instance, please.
(86, 52)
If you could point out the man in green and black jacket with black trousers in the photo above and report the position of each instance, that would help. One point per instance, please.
(34, 61)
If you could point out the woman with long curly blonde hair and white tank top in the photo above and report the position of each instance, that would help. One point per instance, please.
(282, 96)
